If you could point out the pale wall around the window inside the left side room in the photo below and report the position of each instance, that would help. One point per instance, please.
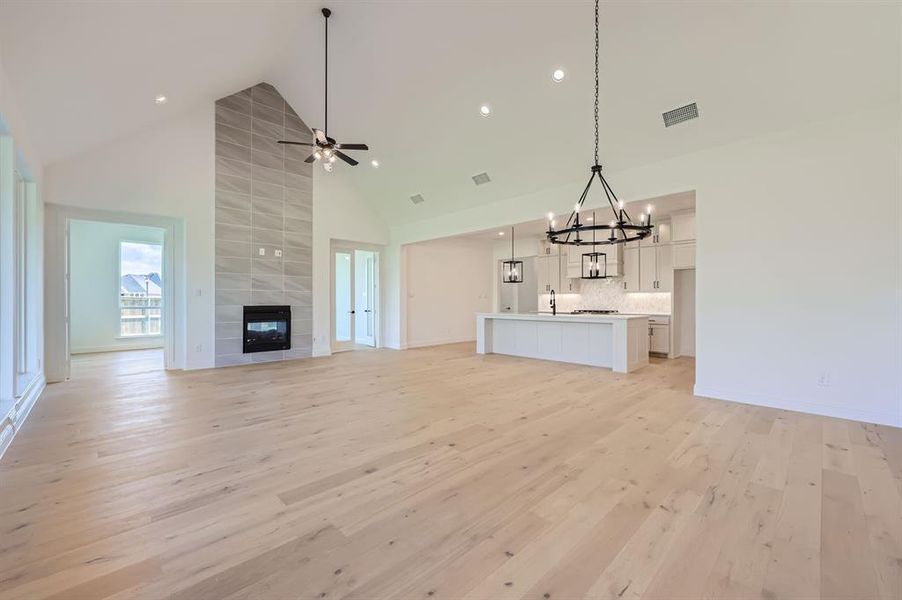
(94, 285)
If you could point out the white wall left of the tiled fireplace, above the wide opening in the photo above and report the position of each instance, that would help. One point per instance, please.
(165, 171)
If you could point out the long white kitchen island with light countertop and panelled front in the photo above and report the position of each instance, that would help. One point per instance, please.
(618, 342)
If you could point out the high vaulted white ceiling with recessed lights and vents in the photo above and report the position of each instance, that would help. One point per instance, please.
(408, 78)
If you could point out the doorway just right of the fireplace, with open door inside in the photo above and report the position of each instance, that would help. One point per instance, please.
(355, 298)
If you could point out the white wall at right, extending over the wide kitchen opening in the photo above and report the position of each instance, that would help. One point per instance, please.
(782, 301)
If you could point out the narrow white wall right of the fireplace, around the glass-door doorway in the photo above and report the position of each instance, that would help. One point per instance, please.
(339, 213)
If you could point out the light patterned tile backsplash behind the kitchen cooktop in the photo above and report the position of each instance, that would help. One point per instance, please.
(609, 294)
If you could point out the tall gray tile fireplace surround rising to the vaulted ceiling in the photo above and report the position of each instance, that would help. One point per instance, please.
(264, 206)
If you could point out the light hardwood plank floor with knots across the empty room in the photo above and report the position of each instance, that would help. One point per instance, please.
(438, 473)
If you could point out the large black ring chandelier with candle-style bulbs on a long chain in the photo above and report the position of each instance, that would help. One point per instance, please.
(621, 228)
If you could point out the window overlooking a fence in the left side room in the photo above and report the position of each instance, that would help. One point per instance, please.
(140, 288)
